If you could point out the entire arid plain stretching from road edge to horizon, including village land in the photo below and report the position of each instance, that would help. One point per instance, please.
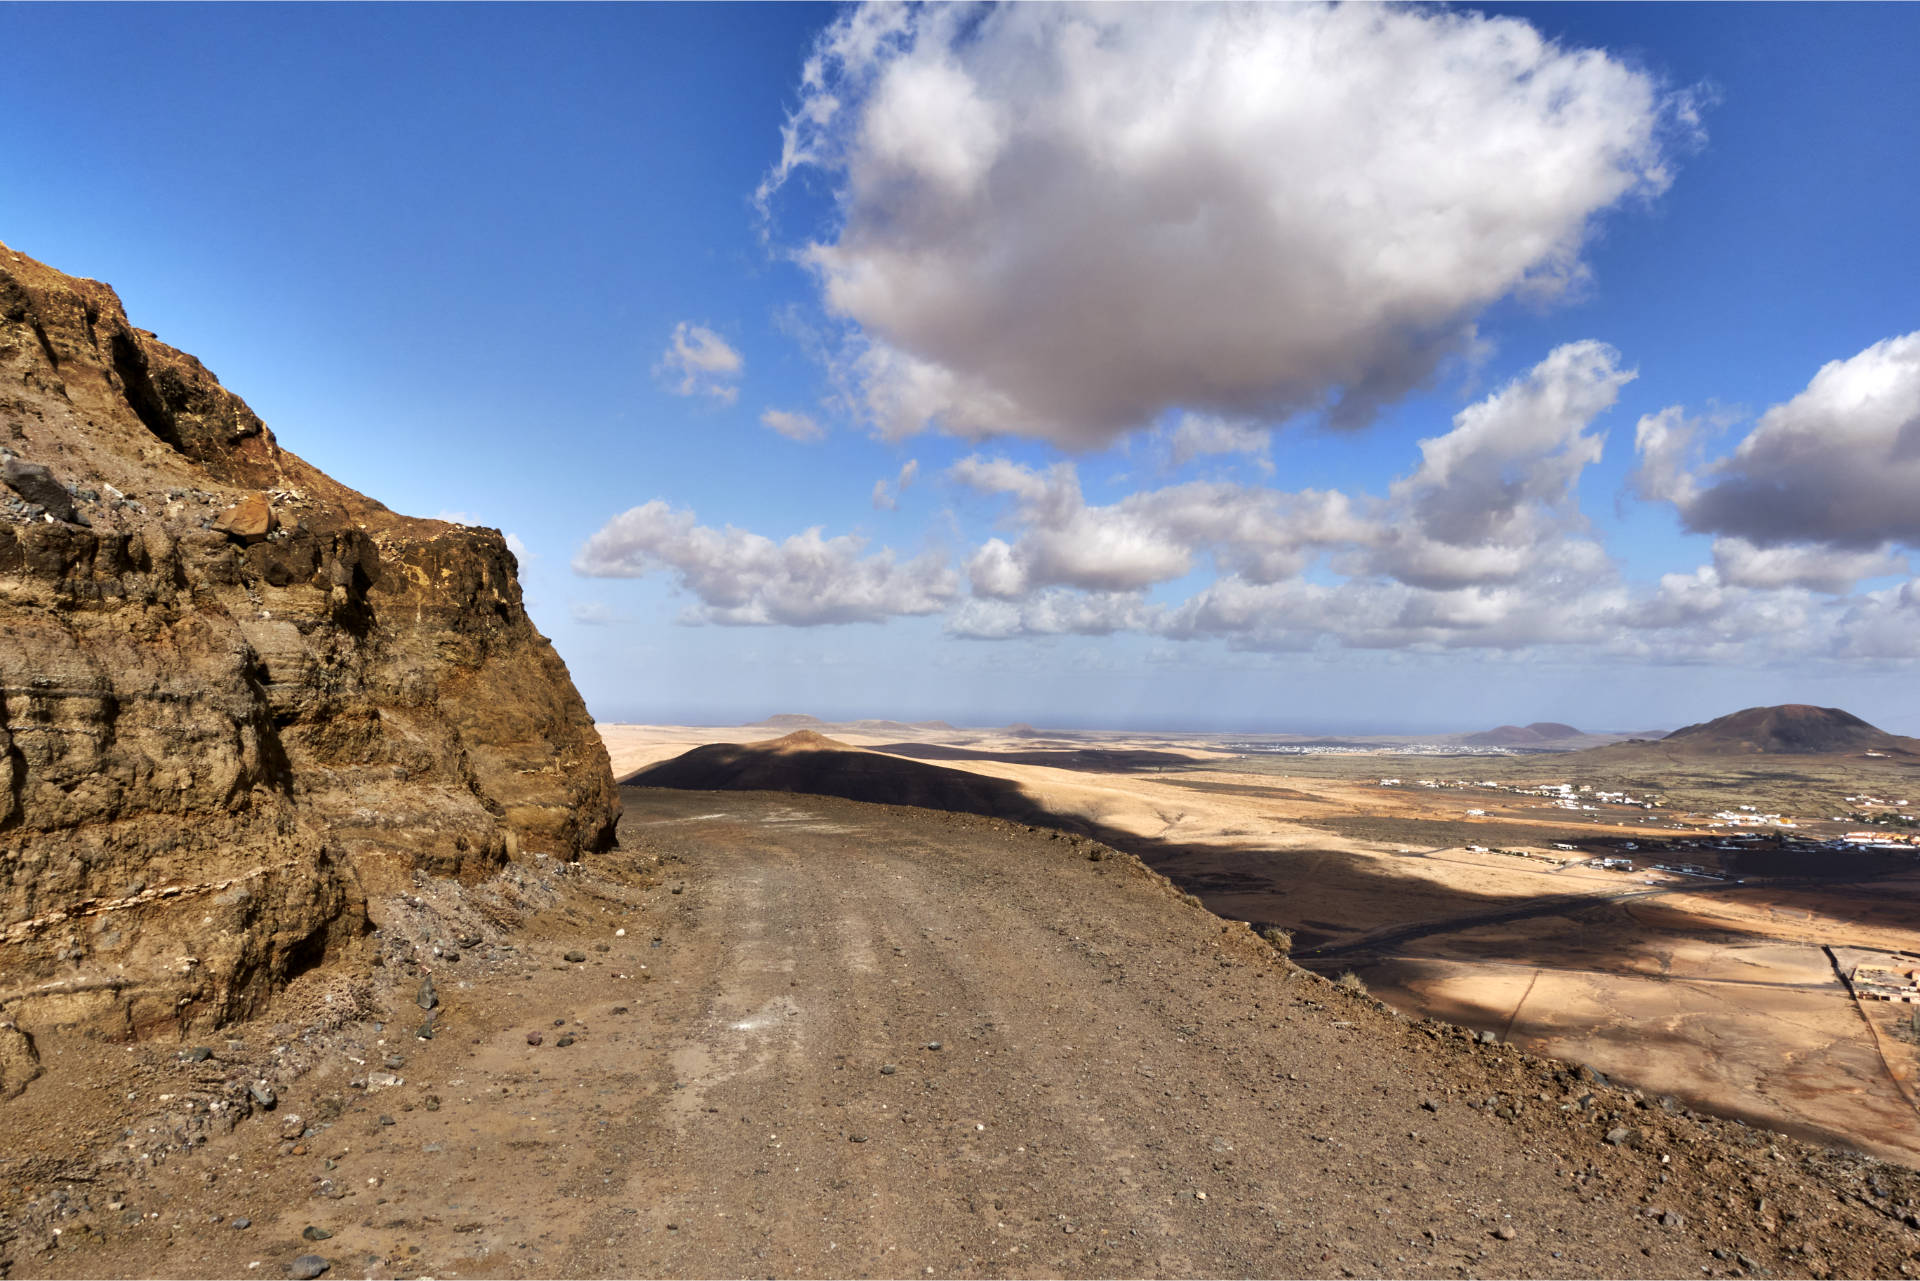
(1468, 888)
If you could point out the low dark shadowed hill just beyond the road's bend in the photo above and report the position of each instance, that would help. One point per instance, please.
(813, 763)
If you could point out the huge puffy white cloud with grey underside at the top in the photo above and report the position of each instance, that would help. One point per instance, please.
(1059, 222)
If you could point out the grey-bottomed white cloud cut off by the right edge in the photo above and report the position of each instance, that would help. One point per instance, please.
(1838, 466)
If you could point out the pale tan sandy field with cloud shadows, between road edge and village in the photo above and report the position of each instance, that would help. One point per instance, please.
(1716, 994)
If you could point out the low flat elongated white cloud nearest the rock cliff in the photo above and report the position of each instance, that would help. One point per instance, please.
(744, 579)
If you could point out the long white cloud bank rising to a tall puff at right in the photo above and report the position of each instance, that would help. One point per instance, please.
(1491, 512)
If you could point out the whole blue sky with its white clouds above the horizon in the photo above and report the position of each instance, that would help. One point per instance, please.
(1157, 308)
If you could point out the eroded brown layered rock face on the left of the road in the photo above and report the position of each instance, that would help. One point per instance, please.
(239, 702)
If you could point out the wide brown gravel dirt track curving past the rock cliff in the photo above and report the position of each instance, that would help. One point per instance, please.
(1124, 1086)
